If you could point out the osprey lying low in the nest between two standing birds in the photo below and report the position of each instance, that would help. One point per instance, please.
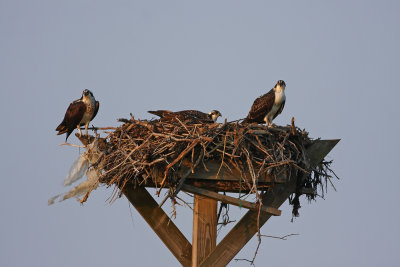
(193, 115)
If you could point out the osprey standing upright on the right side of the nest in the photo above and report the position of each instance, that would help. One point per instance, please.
(268, 106)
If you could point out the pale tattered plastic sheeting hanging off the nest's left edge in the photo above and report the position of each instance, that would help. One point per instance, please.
(92, 155)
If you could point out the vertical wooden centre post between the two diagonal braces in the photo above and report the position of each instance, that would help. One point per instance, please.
(204, 228)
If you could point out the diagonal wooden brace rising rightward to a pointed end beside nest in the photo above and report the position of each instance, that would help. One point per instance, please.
(247, 227)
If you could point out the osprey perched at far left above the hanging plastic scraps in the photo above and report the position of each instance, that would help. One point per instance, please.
(80, 112)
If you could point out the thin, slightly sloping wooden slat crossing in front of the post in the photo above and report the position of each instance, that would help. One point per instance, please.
(230, 200)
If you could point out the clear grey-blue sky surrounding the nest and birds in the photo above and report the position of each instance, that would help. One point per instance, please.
(339, 59)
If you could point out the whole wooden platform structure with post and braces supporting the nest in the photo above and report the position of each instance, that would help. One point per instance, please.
(204, 251)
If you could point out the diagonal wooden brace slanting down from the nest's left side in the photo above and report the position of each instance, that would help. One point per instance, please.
(161, 224)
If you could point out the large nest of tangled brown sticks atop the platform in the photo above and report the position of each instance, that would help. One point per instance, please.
(143, 152)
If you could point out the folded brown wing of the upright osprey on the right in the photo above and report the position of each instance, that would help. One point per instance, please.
(261, 106)
